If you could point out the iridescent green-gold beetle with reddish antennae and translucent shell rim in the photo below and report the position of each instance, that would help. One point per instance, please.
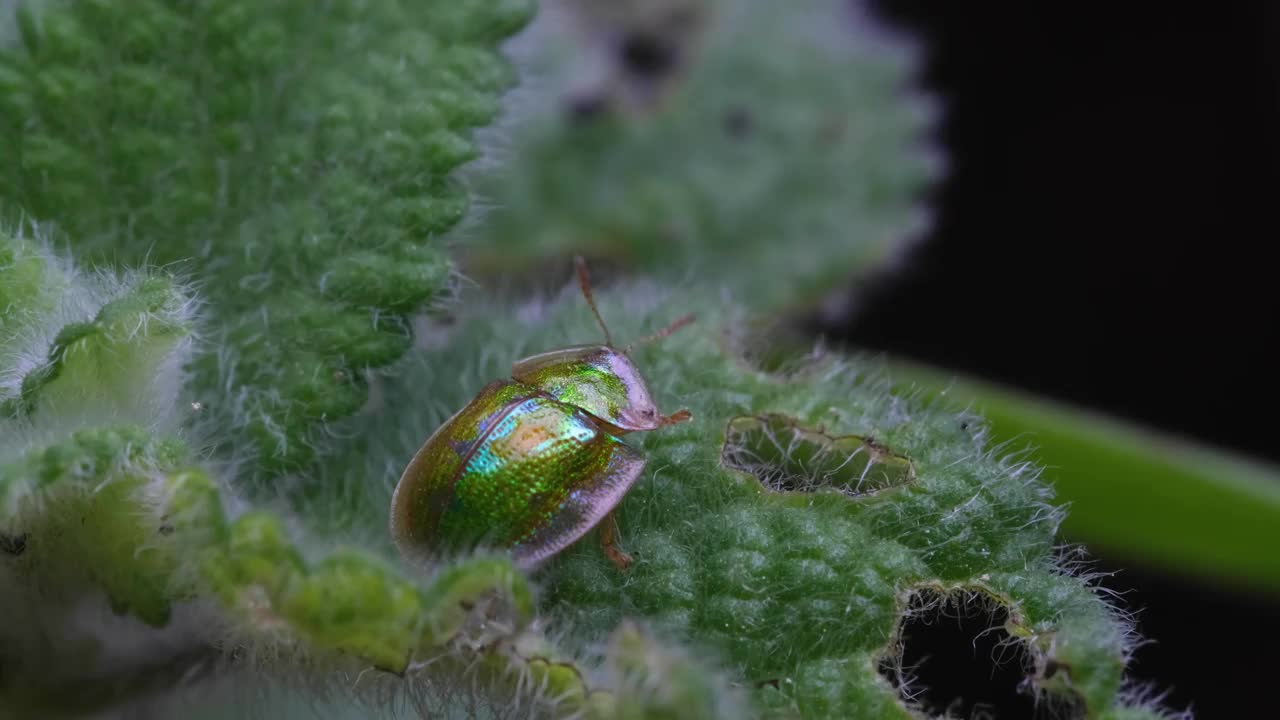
(536, 462)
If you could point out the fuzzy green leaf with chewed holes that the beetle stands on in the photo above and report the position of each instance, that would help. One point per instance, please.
(794, 589)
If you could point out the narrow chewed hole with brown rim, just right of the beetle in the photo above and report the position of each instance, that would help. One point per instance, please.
(790, 458)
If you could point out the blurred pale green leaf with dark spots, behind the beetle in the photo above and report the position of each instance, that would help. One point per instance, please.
(825, 149)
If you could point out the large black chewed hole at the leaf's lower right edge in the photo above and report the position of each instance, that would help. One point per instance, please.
(954, 658)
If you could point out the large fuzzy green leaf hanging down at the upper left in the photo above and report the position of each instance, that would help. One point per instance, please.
(296, 157)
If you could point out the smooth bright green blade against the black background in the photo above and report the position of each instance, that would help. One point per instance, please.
(1159, 499)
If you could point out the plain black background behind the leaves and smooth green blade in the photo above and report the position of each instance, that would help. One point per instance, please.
(1105, 236)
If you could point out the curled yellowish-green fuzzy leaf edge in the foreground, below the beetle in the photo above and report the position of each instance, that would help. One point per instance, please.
(109, 511)
